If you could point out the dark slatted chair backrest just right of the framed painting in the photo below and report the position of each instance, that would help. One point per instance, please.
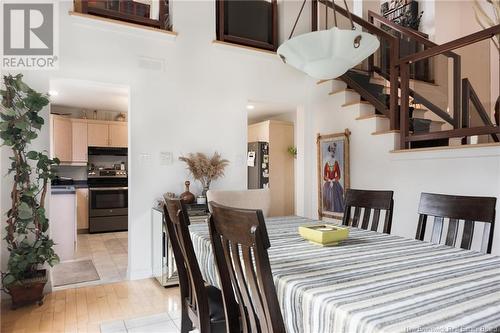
(368, 200)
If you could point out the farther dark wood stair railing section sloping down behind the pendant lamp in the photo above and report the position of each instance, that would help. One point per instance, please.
(392, 111)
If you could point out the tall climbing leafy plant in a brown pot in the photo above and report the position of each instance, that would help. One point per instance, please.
(28, 243)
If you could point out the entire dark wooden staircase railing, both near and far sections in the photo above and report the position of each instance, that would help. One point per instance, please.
(398, 75)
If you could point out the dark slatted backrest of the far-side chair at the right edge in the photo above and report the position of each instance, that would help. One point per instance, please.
(455, 208)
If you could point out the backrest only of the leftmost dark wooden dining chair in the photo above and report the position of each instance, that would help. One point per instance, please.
(192, 285)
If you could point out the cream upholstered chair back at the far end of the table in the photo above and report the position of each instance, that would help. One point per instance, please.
(247, 199)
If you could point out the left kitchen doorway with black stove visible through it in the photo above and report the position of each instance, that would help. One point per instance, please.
(89, 196)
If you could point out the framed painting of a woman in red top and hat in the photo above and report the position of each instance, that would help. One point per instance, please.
(333, 173)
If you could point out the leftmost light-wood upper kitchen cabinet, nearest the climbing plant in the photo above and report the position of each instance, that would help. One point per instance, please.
(61, 139)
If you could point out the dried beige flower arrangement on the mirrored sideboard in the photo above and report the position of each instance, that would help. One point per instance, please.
(205, 169)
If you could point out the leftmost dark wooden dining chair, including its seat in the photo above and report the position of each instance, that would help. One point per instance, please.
(202, 305)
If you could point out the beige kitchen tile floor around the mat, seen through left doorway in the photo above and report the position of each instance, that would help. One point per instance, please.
(109, 253)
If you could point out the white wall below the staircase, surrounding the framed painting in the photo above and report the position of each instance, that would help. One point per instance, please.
(471, 171)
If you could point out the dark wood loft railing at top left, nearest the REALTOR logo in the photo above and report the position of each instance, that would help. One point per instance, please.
(135, 12)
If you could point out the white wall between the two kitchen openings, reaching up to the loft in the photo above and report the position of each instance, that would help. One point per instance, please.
(196, 103)
